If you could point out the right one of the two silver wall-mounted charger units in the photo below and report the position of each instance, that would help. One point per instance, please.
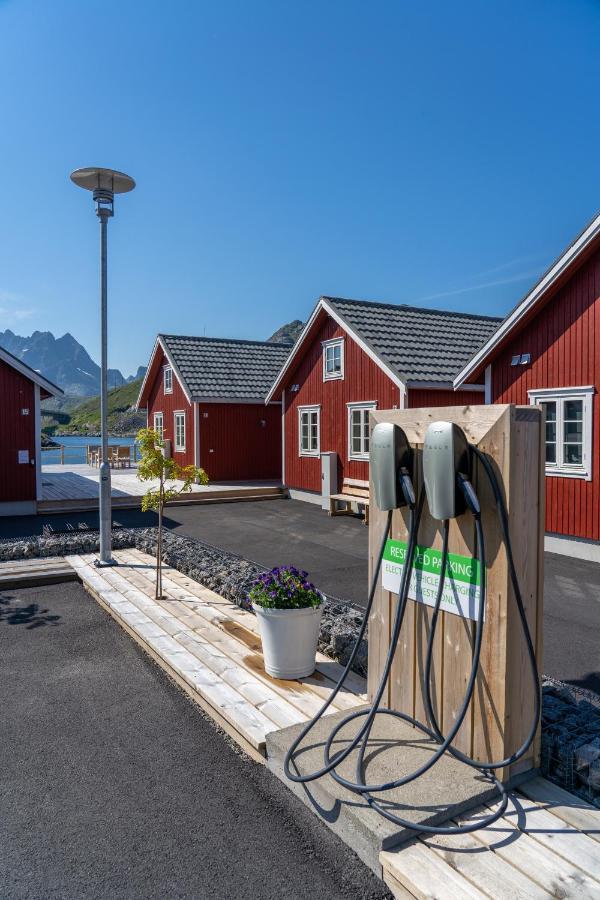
(446, 454)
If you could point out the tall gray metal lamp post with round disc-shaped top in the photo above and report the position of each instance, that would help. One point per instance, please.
(104, 183)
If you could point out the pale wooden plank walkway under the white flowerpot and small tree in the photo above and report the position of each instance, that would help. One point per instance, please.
(212, 649)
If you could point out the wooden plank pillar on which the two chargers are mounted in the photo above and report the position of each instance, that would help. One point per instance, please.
(500, 712)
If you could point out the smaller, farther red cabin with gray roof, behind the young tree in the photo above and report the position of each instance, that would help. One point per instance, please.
(205, 396)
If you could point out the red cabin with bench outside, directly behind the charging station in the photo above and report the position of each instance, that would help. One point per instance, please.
(353, 356)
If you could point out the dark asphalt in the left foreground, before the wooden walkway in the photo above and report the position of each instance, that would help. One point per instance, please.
(115, 785)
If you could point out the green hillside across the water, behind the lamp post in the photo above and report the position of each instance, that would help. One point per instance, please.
(85, 417)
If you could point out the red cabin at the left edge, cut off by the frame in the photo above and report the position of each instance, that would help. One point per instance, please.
(21, 391)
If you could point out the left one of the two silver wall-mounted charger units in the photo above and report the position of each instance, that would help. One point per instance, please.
(389, 454)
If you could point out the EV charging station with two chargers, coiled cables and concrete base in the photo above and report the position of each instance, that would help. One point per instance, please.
(454, 617)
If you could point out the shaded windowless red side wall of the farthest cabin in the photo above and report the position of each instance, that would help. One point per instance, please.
(234, 444)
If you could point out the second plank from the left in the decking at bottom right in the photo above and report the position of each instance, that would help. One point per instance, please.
(493, 875)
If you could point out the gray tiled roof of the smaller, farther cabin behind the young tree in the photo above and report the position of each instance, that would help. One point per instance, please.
(225, 368)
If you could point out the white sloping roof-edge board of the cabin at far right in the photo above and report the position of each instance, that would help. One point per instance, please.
(547, 281)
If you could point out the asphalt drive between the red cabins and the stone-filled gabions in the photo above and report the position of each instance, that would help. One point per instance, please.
(334, 551)
